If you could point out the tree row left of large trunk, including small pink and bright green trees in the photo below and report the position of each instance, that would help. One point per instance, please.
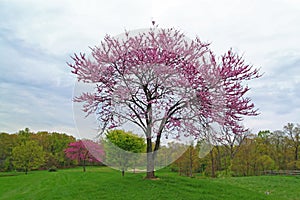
(26, 150)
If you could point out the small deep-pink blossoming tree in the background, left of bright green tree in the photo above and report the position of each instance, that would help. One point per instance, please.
(85, 151)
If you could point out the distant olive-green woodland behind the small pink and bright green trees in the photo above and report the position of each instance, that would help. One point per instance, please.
(235, 155)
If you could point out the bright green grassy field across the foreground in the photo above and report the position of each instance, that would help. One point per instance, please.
(105, 183)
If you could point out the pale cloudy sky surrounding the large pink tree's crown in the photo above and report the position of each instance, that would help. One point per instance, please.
(37, 38)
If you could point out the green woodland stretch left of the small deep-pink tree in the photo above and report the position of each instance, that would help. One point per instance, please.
(27, 150)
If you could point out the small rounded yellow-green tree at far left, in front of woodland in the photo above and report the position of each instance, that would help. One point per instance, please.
(27, 156)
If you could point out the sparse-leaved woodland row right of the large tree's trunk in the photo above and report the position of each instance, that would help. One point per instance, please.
(245, 155)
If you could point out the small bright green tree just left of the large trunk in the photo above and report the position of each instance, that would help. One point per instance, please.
(122, 148)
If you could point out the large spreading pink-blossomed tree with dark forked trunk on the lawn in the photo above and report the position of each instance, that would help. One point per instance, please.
(165, 84)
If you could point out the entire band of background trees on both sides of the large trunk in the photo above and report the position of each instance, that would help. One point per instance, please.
(235, 155)
